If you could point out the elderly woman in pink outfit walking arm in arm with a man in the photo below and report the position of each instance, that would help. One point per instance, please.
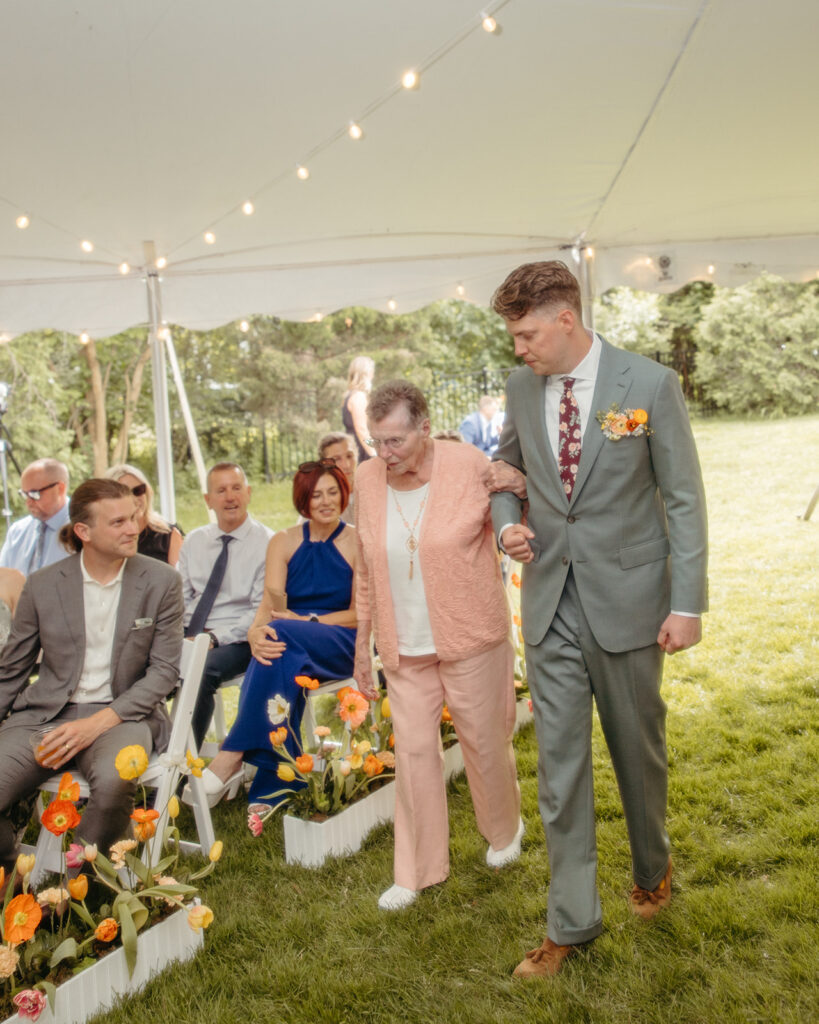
(428, 587)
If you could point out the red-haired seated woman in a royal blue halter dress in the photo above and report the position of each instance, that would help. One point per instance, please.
(306, 626)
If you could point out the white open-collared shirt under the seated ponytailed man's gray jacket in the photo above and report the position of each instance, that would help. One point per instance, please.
(101, 605)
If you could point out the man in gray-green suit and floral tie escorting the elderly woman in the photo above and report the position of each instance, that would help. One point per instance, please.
(615, 553)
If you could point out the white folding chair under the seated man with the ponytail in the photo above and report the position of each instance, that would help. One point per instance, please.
(162, 775)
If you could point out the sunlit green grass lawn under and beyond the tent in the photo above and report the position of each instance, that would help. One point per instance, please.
(740, 942)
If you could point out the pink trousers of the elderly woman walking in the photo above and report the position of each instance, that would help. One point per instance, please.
(481, 695)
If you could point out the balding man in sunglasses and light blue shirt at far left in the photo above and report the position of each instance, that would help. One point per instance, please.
(33, 542)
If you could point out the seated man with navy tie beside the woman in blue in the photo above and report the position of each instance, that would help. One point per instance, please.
(223, 570)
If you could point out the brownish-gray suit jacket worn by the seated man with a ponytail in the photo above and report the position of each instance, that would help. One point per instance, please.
(145, 658)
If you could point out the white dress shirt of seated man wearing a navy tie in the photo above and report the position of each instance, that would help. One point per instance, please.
(243, 586)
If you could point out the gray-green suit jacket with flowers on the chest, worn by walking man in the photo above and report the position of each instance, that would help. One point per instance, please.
(635, 531)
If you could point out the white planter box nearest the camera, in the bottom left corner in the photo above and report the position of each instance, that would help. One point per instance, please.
(97, 989)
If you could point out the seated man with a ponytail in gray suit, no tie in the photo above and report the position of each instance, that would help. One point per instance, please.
(109, 623)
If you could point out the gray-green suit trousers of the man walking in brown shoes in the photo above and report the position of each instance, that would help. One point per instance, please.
(567, 671)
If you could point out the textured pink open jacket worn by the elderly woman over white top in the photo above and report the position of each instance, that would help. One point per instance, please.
(468, 610)
